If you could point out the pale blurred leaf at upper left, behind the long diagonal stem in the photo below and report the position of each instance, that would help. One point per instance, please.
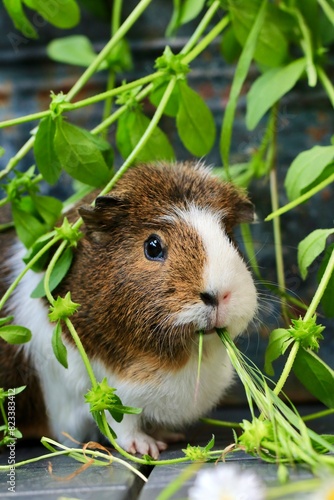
(75, 49)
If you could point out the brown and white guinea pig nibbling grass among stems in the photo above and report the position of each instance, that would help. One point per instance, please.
(156, 265)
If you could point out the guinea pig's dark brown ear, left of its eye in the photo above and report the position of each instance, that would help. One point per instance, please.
(107, 212)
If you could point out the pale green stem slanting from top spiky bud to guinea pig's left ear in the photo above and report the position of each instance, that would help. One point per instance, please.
(145, 137)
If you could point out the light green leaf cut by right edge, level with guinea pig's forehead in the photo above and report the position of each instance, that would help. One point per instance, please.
(306, 168)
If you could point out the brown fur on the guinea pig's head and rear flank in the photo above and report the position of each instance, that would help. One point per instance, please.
(125, 299)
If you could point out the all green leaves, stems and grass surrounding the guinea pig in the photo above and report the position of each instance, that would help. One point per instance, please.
(288, 42)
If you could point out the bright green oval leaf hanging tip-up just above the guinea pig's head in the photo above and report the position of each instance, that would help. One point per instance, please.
(194, 121)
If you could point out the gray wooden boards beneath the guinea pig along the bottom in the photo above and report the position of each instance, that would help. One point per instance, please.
(34, 481)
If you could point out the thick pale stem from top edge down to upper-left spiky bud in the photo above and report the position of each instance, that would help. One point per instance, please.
(123, 29)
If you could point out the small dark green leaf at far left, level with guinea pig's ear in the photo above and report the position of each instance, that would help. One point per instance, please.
(27, 226)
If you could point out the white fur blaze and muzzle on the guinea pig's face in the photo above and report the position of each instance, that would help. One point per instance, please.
(225, 276)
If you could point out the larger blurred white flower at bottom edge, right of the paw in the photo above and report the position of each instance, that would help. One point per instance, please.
(227, 482)
